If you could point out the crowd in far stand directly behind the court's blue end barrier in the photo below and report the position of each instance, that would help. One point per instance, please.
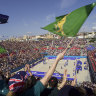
(77, 48)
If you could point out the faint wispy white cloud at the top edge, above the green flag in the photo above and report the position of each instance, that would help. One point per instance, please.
(67, 3)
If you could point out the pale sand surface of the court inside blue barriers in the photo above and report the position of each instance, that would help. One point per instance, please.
(81, 76)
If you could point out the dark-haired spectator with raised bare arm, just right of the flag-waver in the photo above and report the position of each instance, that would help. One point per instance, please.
(53, 86)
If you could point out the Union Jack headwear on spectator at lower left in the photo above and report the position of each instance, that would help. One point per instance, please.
(16, 82)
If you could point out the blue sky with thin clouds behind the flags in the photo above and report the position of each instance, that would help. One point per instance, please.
(27, 16)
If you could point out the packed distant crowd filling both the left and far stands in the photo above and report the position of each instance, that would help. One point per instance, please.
(20, 53)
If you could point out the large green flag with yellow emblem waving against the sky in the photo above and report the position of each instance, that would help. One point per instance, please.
(69, 24)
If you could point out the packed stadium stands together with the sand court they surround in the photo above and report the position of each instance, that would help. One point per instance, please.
(79, 60)
